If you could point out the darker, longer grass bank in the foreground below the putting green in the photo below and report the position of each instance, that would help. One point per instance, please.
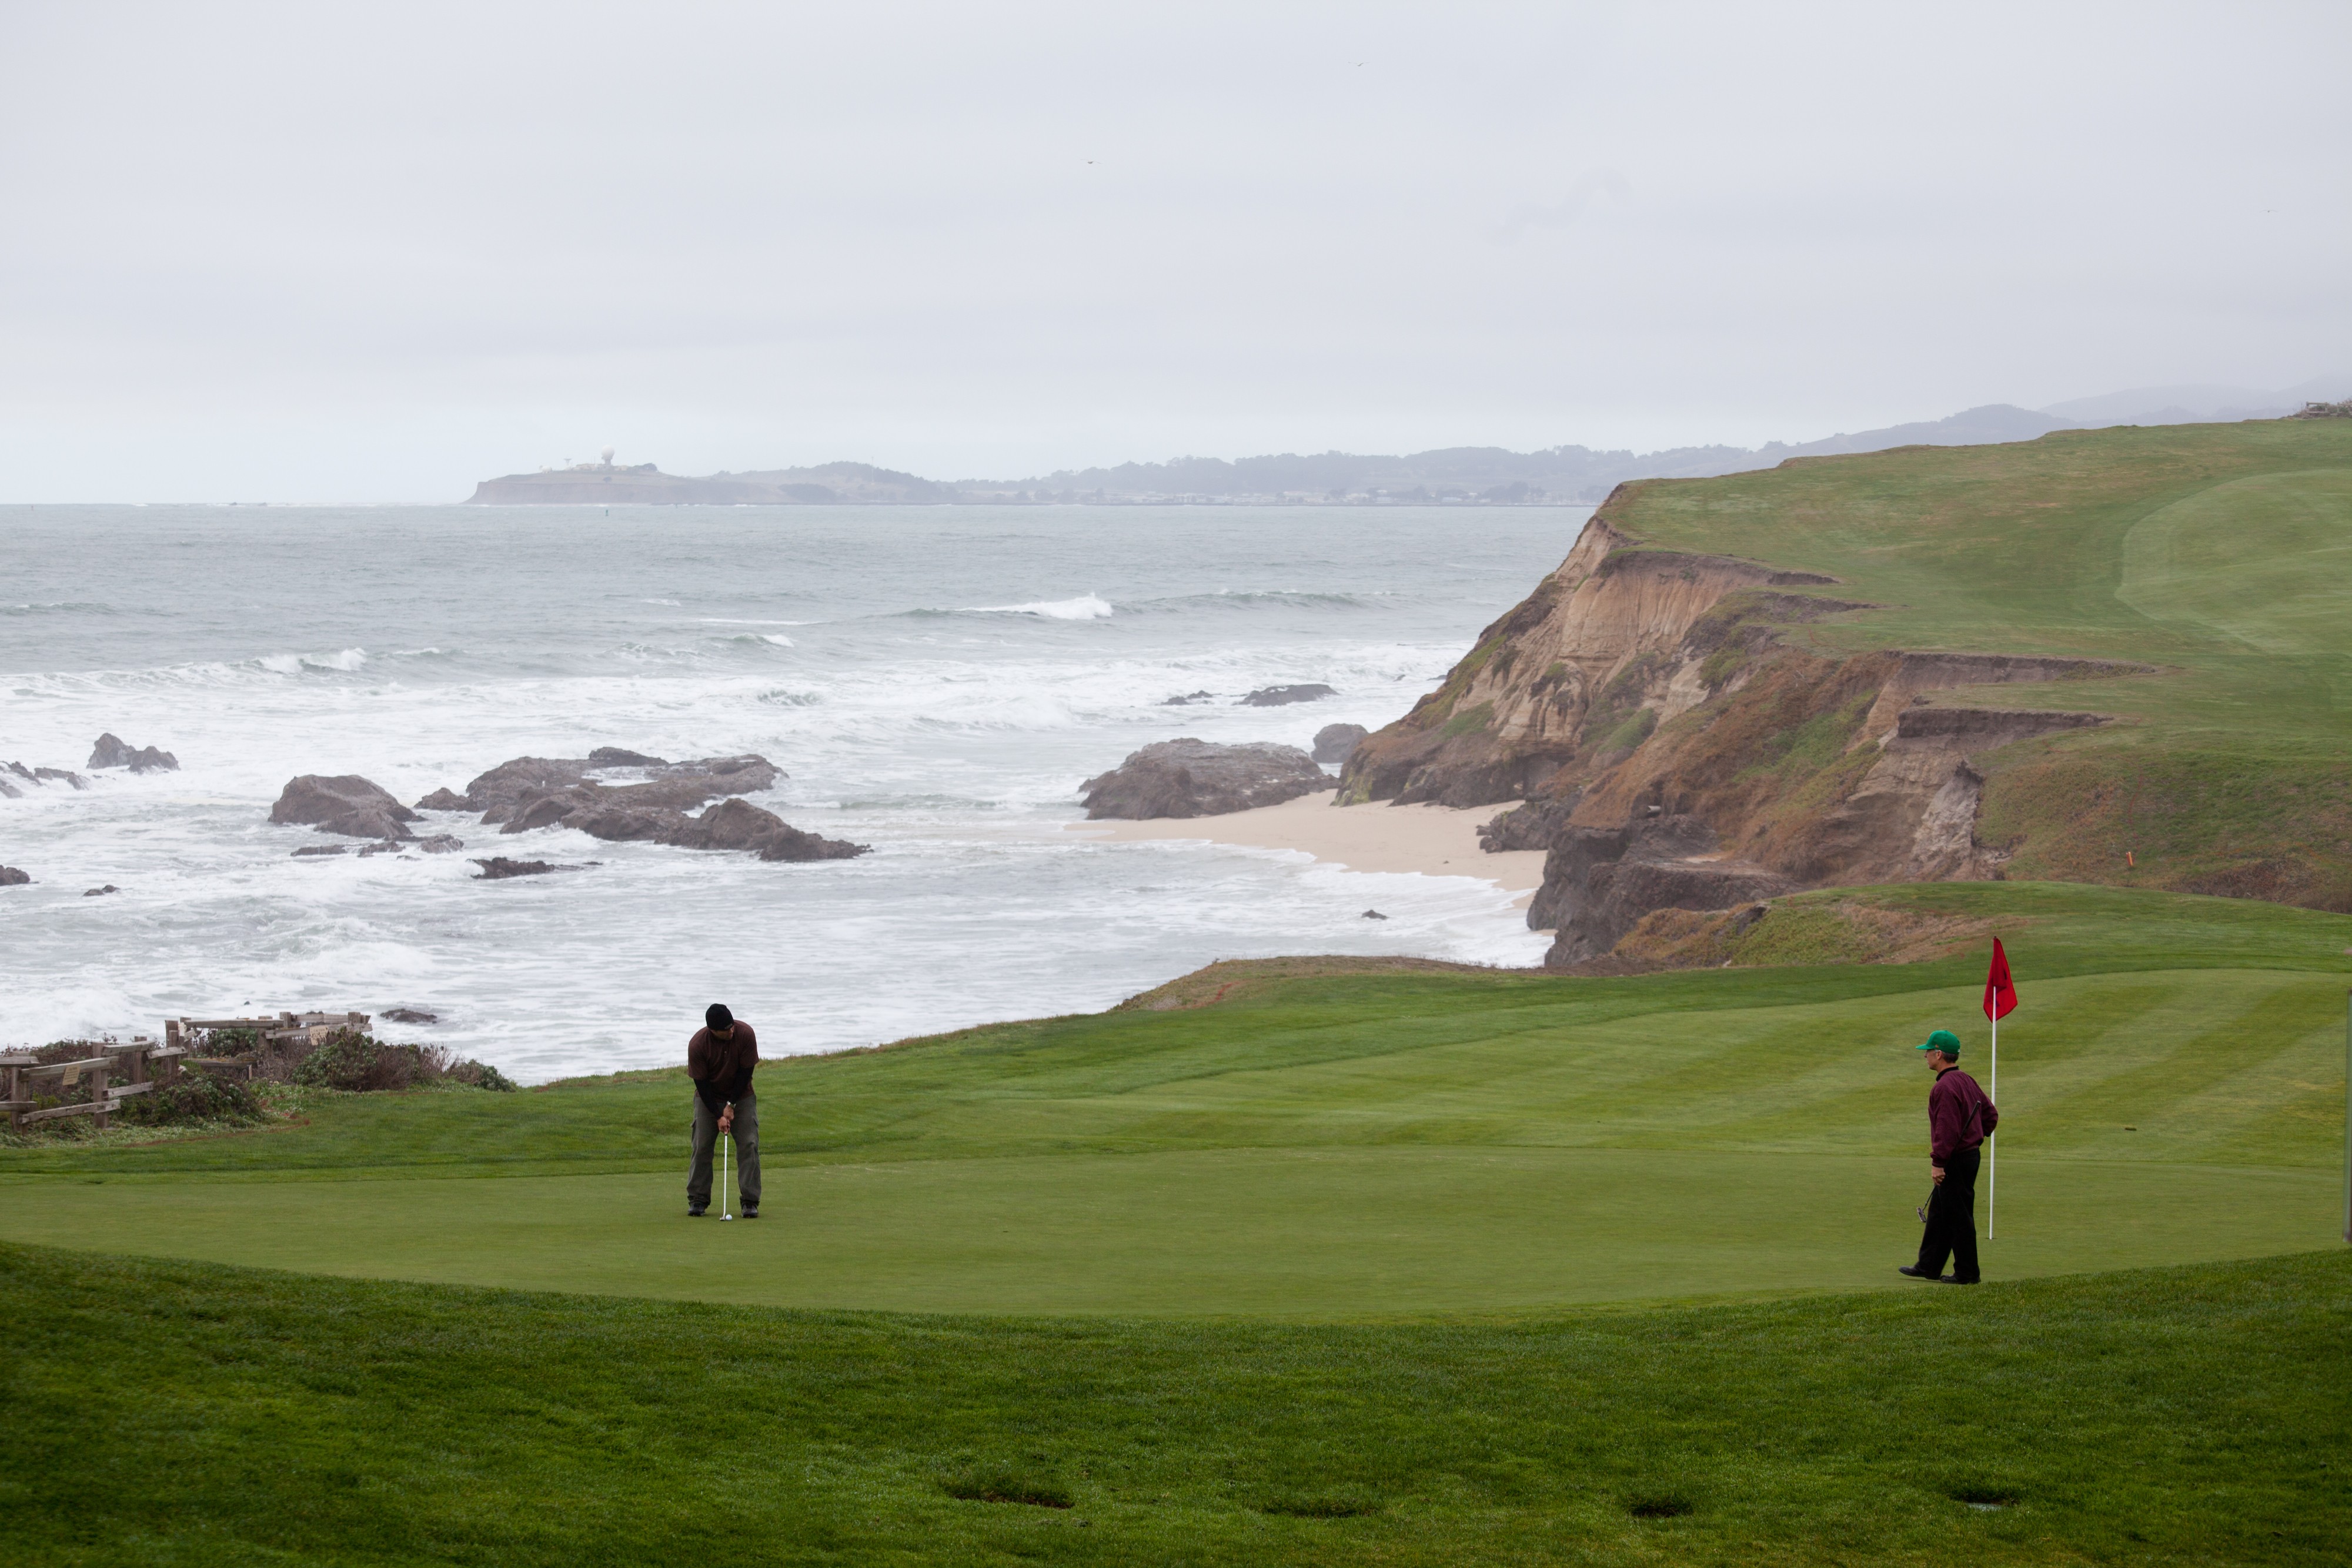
(187, 1414)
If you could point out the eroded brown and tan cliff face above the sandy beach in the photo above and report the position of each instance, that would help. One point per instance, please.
(1676, 753)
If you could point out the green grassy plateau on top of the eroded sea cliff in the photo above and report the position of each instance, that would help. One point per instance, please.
(2221, 554)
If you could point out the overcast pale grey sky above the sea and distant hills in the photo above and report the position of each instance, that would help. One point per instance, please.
(380, 253)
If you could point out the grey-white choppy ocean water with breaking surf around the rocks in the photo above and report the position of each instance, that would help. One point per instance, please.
(935, 683)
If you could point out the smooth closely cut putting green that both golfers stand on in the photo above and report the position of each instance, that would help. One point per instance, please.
(1262, 1233)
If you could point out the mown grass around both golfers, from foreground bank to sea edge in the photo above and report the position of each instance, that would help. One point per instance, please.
(1358, 1146)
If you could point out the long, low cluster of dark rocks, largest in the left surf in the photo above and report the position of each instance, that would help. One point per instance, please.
(622, 796)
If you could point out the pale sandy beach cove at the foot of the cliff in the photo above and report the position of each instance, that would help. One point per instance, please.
(1429, 840)
